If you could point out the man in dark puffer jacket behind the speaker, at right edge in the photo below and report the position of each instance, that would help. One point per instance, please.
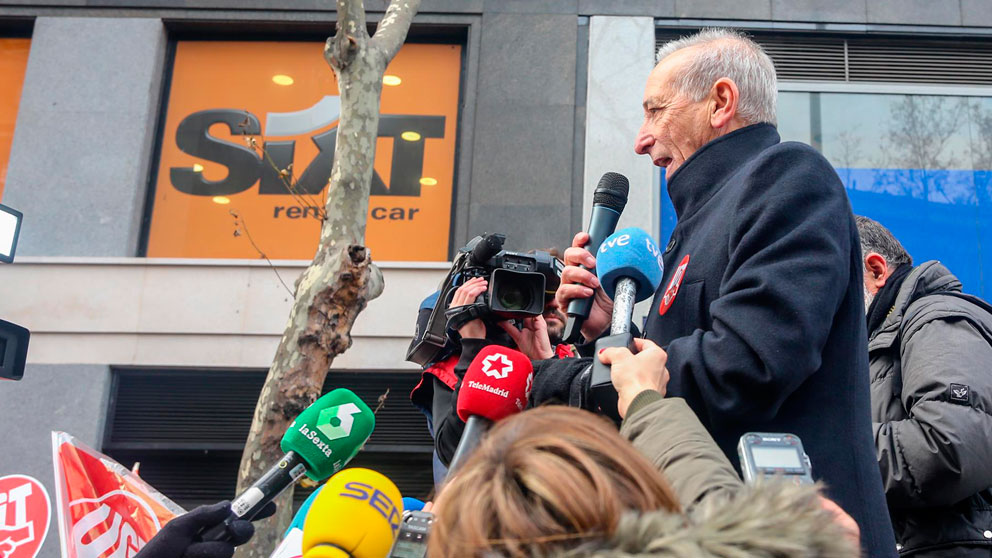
(930, 354)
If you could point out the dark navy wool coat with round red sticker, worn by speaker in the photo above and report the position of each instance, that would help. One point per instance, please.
(762, 314)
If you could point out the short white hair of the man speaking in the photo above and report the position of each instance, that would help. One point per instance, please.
(727, 53)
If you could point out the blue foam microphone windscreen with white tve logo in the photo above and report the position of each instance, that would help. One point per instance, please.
(630, 252)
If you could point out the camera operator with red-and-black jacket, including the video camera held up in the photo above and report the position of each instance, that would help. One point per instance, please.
(489, 296)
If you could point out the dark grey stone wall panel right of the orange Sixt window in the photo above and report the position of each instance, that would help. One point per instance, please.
(522, 160)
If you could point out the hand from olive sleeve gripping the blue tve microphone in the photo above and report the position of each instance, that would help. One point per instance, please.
(633, 373)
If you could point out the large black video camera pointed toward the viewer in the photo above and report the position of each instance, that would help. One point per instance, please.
(519, 286)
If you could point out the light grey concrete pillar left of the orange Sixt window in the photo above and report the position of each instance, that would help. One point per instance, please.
(85, 127)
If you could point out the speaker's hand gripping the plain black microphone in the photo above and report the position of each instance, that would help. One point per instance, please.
(582, 283)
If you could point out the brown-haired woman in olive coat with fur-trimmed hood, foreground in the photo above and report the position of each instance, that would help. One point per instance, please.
(560, 482)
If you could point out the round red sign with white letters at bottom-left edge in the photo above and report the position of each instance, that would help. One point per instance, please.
(25, 512)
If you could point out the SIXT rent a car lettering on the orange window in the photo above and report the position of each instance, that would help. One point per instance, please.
(246, 167)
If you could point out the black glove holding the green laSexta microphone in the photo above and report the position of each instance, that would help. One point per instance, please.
(180, 537)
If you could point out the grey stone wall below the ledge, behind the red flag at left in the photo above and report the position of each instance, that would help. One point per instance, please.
(69, 398)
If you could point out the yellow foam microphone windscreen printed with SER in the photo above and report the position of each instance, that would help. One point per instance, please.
(358, 512)
